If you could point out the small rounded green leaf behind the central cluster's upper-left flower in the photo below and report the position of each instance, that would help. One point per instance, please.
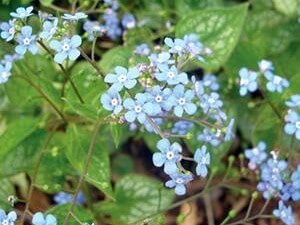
(118, 56)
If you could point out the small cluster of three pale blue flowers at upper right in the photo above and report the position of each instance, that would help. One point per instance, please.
(249, 80)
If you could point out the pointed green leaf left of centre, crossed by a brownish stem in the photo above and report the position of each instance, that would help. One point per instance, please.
(76, 151)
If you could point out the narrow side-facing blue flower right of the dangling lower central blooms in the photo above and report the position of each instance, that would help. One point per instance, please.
(202, 158)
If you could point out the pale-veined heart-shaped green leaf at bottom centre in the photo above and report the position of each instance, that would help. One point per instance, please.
(136, 198)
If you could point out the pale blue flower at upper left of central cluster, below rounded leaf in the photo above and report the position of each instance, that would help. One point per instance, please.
(122, 78)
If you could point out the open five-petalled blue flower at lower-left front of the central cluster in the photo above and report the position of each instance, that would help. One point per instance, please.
(138, 108)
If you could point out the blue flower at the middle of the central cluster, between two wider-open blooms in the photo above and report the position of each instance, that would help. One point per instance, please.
(160, 99)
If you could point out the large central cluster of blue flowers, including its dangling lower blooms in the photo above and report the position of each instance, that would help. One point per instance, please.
(170, 99)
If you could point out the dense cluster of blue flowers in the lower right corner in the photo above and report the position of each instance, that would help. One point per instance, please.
(276, 180)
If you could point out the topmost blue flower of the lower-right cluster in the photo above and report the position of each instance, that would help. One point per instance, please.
(257, 155)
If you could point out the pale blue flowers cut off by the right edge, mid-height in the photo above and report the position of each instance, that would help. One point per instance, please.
(292, 119)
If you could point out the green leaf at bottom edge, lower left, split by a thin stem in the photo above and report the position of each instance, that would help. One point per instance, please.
(60, 212)
